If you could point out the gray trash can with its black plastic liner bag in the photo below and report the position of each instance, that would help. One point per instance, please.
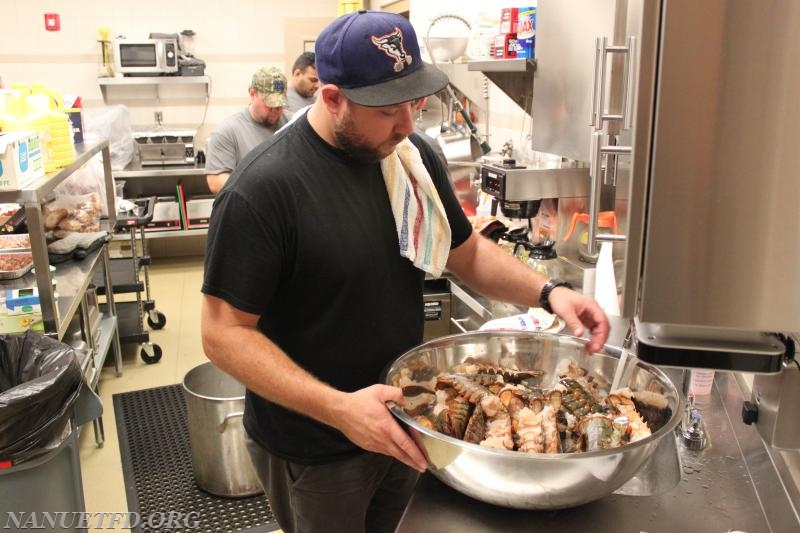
(43, 400)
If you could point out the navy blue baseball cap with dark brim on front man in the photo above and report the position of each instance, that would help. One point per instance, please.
(374, 58)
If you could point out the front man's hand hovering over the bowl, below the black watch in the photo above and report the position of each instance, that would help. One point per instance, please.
(579, 311)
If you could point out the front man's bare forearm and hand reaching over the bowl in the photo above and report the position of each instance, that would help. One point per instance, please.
(486, 268)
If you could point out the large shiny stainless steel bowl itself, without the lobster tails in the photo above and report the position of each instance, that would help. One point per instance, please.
(520, 480)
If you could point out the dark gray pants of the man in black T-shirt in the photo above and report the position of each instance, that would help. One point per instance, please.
(363, 494)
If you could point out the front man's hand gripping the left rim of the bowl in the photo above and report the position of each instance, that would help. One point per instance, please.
(364, 419)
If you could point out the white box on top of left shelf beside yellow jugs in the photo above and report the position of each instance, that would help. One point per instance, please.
(21, 159)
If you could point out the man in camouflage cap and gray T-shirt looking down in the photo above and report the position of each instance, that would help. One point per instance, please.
(241, 132)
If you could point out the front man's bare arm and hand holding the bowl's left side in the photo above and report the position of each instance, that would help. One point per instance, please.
(232, 342)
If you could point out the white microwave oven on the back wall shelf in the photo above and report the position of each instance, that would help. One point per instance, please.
(146, 57)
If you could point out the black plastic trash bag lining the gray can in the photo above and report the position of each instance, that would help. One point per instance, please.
(40, 380)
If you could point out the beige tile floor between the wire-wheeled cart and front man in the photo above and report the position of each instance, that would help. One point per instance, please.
(175, 287)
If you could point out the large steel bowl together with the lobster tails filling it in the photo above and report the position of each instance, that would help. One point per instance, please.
(526, 420)
